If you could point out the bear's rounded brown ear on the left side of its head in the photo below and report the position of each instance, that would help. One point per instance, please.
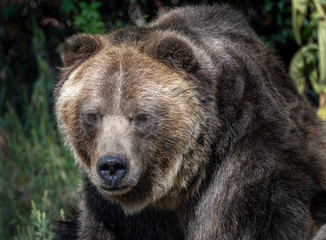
(78, 48)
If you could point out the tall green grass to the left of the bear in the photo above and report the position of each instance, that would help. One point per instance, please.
(37, 174)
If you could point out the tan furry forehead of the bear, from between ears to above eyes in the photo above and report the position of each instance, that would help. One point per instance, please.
(118, 75)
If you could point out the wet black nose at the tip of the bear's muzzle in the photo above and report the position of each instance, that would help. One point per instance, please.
(112, 168)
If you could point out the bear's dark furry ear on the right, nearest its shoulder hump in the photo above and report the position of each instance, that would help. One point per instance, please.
(177, 53)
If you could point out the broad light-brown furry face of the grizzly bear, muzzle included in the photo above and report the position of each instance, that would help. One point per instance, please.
(130, 121)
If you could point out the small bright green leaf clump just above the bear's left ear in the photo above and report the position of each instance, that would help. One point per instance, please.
(89, 20)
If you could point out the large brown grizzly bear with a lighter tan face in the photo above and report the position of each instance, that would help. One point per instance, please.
(188, 128)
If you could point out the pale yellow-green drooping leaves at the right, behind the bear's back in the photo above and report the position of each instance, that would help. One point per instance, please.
(308, 65)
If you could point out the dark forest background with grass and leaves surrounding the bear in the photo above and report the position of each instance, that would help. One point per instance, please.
(38, 176)
